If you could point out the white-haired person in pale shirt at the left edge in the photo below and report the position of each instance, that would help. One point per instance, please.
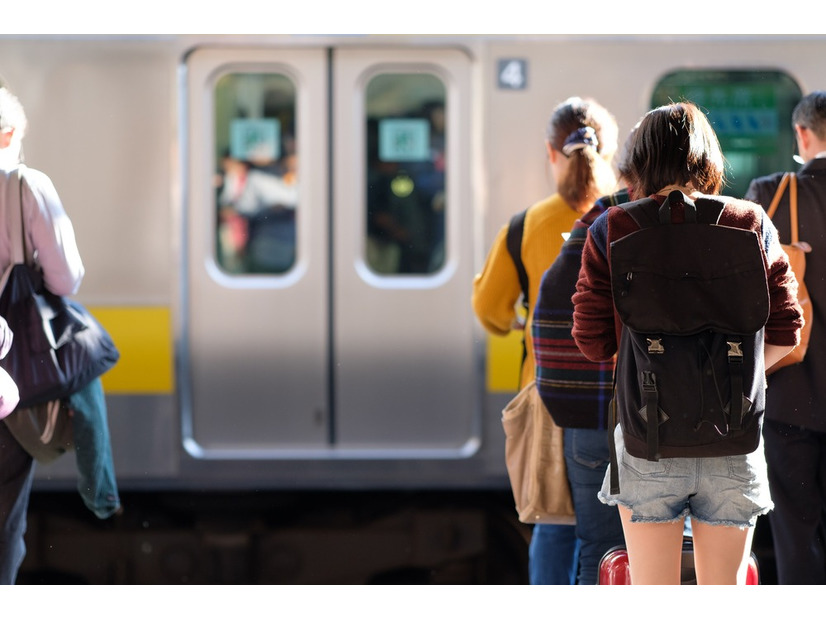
(50, 235)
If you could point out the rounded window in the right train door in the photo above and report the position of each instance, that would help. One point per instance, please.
(405, 184)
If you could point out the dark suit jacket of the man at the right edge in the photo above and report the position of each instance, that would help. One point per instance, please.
(796, 395)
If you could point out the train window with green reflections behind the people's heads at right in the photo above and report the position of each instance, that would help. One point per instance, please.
(750, 111)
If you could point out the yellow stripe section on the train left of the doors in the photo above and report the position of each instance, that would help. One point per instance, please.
(143, 335)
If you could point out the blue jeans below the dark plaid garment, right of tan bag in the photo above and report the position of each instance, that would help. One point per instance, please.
(598, 527)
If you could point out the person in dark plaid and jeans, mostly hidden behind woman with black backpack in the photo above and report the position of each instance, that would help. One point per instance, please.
(578, 392)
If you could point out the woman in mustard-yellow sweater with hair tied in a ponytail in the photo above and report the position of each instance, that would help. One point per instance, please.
(580, 141)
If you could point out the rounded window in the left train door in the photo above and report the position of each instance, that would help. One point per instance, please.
(256, 163)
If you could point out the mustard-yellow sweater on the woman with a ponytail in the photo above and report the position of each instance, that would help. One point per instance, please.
(496, 288)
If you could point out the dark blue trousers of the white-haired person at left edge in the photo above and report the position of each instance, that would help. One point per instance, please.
(16, 475)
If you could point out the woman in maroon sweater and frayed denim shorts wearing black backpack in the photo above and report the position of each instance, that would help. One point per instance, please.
(676, 150)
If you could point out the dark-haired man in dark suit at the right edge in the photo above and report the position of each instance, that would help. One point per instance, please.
(795, 427)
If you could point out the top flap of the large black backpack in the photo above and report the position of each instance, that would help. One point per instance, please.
(688, 277)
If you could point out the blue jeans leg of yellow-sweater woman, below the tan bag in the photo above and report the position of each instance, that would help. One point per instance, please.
(553, 555)
